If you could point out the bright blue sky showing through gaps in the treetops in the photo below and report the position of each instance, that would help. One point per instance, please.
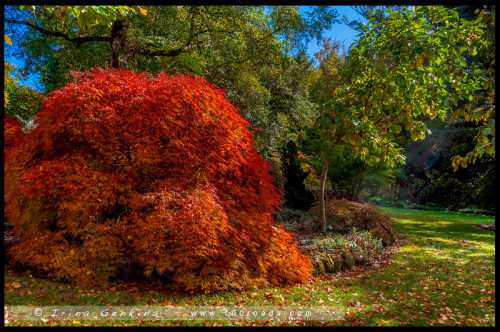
(339, 32)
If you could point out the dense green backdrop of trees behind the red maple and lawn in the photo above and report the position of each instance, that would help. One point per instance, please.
(414, 72)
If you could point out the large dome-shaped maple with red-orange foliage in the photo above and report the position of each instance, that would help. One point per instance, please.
(160, 173)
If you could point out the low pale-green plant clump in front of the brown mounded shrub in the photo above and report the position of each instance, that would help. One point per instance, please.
(337, 252)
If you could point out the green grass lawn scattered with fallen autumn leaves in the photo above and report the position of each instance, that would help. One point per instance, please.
(443, 274)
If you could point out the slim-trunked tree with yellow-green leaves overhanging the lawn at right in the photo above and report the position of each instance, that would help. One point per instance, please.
(410, 65)
